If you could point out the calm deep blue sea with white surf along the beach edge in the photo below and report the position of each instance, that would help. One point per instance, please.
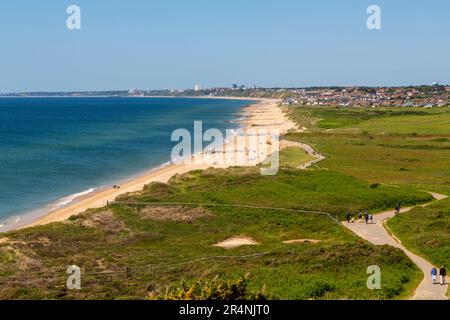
(52, 149)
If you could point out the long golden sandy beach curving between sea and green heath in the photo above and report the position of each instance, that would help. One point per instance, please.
(263, 114)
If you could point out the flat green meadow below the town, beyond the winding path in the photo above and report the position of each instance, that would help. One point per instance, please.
(390, 146)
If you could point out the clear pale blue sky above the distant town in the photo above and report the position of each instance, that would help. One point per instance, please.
(157, 44)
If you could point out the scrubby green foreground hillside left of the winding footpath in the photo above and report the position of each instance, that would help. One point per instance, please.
(111, 238)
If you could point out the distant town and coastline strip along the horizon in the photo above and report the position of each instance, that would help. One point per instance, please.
(433, 95)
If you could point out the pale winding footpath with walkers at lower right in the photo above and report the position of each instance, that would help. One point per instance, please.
(377, 234)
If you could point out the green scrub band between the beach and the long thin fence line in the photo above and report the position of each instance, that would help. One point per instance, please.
(317, 190)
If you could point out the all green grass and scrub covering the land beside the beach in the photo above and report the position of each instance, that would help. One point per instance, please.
(155, 249)
